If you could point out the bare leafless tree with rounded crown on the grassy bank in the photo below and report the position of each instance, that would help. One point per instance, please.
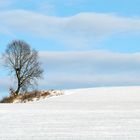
(23, 62)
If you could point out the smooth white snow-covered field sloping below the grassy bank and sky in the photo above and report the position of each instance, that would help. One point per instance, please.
(83, 114)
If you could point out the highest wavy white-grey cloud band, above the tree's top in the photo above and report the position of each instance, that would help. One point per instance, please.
(77, 30)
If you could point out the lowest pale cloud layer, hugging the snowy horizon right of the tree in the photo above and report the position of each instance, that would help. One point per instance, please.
(85, 80)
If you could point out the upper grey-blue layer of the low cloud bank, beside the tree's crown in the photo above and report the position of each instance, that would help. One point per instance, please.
(92, 61)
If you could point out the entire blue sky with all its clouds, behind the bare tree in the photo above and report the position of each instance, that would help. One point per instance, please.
(81, 43)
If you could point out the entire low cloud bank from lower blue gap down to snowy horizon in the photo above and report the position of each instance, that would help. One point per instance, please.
(87, 69)
